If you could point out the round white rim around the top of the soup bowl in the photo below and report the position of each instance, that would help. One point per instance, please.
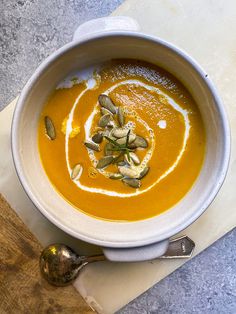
(225, 158)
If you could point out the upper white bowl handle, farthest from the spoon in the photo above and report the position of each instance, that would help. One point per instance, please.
(105, 24)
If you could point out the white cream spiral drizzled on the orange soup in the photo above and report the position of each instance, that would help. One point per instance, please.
(91, 83)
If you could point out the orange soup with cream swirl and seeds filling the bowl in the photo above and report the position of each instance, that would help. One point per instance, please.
(129, 156)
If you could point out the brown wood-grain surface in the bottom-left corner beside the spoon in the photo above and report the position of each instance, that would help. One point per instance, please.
(22, 290)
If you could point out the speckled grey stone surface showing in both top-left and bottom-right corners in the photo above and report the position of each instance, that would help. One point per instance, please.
(29, 31)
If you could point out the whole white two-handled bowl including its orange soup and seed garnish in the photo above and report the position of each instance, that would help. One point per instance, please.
(120, 139)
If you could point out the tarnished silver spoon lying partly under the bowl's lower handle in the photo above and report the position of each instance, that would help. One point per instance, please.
(60, 265)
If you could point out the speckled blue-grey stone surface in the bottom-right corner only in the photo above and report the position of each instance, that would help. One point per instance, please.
(206, 284)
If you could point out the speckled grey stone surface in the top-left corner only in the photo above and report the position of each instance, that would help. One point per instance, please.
(32, 29)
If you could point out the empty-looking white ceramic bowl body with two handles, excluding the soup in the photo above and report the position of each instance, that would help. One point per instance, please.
(148, 238)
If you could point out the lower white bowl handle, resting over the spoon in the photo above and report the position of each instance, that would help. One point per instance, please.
(136, 254)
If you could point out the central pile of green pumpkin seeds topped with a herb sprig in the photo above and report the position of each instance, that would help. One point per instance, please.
(120, 144)
